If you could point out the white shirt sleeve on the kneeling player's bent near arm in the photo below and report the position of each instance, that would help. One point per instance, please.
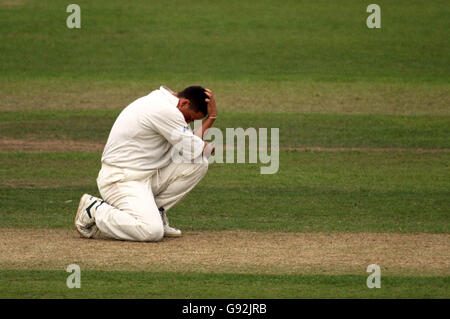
(177, 132)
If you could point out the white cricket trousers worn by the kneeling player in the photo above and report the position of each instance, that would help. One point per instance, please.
(134, 198)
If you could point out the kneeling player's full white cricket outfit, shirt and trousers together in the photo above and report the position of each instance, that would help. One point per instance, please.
(138, 175)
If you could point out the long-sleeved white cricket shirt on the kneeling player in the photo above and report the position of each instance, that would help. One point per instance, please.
(146, 131)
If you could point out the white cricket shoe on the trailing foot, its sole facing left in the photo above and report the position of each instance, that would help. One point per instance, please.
(85, 219)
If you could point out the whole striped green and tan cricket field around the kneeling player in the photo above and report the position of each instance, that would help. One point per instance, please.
(364, 144)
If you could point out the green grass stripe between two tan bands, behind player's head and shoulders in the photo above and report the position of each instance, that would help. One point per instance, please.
(295, 129)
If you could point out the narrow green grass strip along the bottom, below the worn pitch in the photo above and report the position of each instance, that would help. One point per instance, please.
(129, 284)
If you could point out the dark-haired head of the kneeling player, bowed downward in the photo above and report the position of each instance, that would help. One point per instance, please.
(192, 103)
